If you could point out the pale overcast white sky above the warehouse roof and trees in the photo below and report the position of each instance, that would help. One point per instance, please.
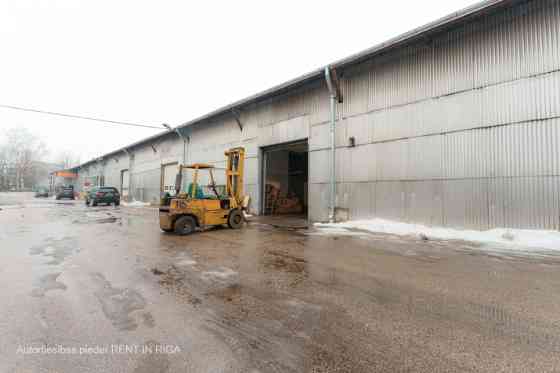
(169, 61)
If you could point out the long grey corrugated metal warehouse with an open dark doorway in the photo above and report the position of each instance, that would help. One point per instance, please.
(452, 124)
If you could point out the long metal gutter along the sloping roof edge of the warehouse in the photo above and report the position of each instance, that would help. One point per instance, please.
(437, 26)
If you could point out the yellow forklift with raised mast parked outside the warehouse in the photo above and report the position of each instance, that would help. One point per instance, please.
(192, 209)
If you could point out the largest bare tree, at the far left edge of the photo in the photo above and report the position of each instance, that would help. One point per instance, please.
(21, 151)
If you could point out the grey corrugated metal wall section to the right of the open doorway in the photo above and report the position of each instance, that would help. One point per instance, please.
(462, 130)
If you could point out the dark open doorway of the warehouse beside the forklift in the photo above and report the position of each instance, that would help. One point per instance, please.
(285, 176)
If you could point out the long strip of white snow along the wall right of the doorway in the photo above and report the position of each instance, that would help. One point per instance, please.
(507, 237)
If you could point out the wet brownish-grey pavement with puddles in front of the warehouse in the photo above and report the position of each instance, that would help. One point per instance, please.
(106, 291)
